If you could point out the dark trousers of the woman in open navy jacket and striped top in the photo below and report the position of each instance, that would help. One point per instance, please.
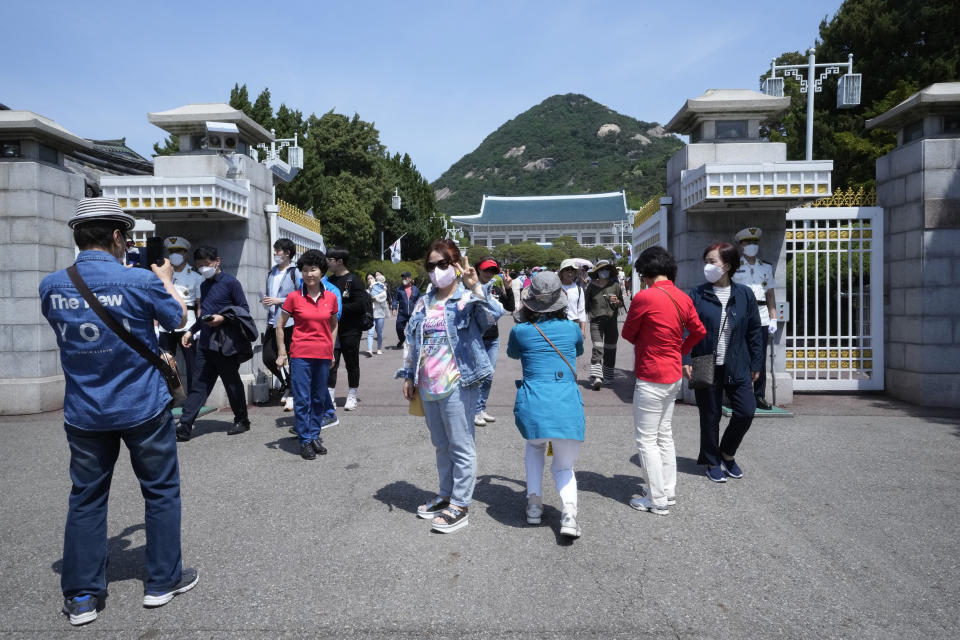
(709, 401)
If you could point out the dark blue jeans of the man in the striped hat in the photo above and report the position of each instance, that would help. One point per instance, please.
(153, 455)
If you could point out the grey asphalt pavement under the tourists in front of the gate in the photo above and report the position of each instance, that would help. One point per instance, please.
(845, 526)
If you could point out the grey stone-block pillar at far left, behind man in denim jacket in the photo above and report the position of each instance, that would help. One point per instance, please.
(37, 197)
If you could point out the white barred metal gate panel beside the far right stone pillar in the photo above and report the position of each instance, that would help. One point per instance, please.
(834, 262)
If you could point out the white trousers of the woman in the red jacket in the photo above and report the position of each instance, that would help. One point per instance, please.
(653, 421)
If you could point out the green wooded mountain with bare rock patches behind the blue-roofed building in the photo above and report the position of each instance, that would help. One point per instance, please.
(565, 145)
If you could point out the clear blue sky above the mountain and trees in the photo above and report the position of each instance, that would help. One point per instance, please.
(435, 77)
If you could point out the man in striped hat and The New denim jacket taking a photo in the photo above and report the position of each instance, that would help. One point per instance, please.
(112, 395)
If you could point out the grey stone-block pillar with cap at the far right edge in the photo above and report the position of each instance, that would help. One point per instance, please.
(918, 186)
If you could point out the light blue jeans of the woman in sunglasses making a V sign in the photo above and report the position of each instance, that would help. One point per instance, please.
(450, 421)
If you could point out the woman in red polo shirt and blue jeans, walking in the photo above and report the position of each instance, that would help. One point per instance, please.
(314, 314)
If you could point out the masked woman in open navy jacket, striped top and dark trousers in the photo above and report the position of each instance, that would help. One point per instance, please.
(725, 305)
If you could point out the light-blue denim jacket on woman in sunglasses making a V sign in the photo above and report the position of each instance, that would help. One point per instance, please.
(467, 316)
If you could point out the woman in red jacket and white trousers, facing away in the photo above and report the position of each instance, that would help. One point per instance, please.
(658, 318)
